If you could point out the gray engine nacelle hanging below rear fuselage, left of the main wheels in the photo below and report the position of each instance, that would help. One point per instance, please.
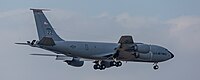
(75, 63)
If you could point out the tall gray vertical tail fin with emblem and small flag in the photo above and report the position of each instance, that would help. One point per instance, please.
(44, 28)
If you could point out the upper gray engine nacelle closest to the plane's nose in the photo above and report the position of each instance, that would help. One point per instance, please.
(142, 48)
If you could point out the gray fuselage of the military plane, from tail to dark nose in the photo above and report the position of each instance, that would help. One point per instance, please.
(97, 50)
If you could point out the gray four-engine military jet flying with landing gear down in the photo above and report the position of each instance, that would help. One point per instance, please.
(103, 55)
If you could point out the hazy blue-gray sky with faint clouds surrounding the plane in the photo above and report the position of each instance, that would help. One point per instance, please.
(174, 24)
